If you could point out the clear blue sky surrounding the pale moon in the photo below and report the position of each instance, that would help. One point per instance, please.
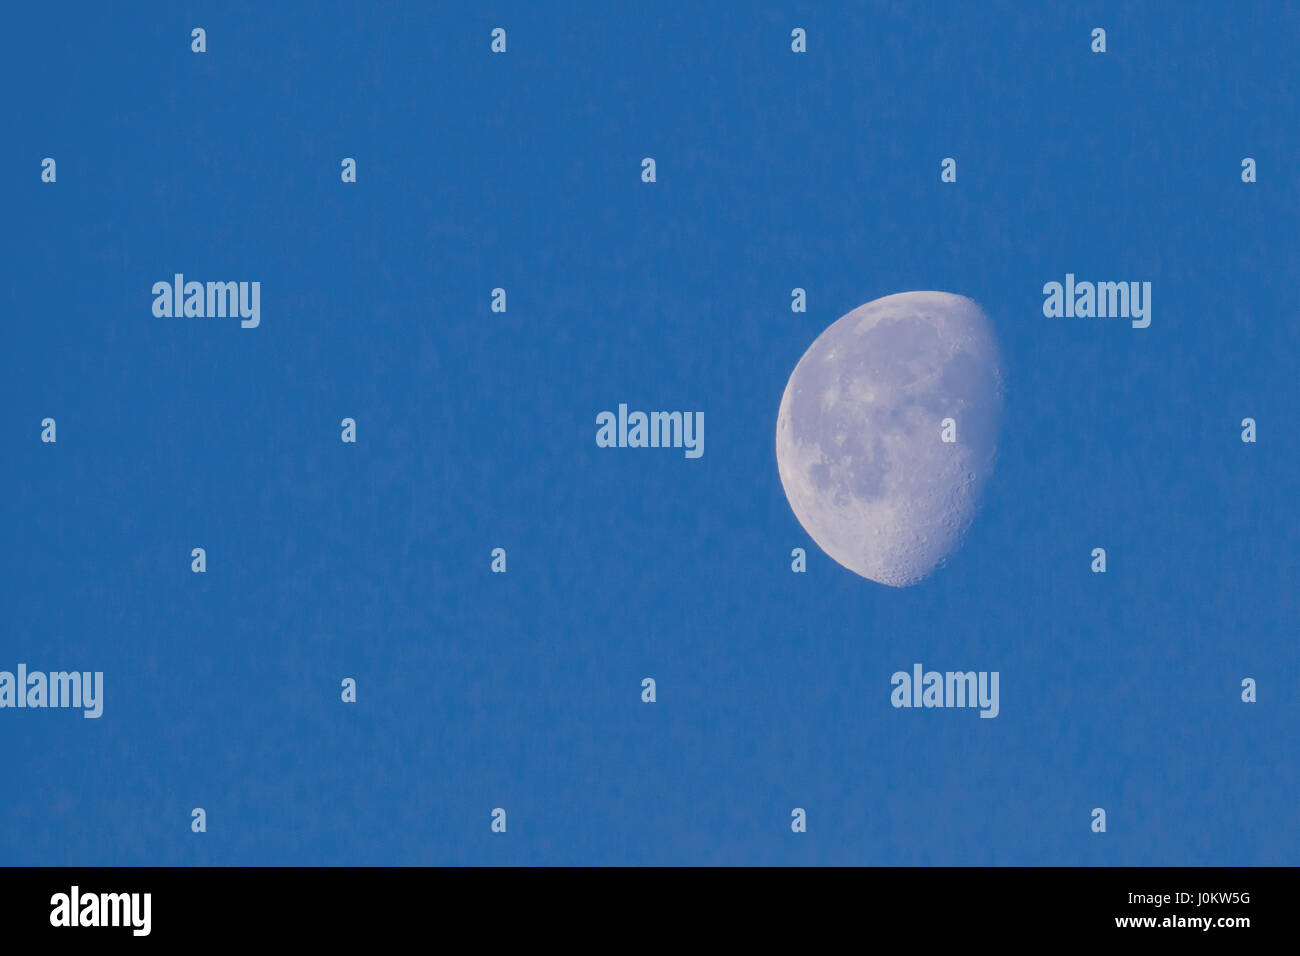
(478, 431)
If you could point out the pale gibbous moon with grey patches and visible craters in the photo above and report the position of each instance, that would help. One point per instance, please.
(861, 434)
